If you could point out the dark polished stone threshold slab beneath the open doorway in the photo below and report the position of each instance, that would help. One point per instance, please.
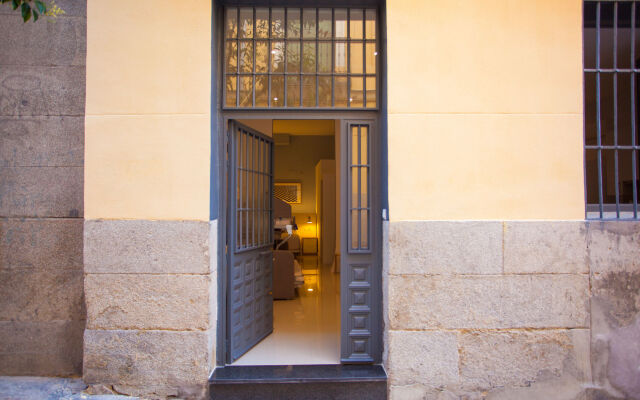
(297, 374)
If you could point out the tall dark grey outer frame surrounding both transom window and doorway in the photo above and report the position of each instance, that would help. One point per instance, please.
(219, 142)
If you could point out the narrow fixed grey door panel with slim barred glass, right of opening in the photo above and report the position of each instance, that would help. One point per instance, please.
(361, 237)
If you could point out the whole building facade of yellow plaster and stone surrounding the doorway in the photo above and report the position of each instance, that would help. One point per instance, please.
(495, 279)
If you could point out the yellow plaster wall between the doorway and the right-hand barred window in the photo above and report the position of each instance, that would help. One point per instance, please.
(485, 109)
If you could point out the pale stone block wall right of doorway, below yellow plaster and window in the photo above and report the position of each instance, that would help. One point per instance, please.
(506, 310)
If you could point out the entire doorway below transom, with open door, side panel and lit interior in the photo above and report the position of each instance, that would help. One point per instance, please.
(331, 315)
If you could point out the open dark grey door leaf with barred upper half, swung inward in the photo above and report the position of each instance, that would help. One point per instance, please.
(250, 259)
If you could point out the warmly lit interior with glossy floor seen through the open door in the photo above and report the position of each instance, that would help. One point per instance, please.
(305, 265)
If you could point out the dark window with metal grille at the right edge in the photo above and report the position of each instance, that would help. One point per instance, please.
(611, 100)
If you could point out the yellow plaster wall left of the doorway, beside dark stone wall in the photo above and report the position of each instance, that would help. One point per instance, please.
(147, 151)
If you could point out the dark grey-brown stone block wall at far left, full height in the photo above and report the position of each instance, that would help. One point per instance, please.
(42, 101)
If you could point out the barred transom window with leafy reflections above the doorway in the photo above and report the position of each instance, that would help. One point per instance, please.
(301, 58)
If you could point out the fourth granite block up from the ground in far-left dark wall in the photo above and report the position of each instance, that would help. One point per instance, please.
(41, 192)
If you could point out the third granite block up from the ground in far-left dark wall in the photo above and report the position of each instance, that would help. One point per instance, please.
(41, 244)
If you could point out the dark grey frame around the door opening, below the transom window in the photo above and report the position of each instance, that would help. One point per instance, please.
(222, 345)
